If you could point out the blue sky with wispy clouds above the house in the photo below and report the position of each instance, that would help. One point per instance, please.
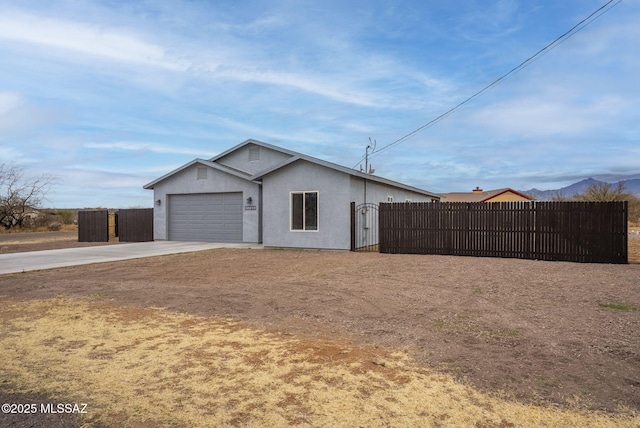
(109, 95)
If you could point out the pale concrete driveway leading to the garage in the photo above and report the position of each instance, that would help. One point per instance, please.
(48, 259)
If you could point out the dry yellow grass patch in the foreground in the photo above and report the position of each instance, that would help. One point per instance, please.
(146, 366)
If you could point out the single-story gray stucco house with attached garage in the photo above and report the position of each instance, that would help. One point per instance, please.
(259, 193)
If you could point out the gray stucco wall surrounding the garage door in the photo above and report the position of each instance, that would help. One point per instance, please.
(186, 181)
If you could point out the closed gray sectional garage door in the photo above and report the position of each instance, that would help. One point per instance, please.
(209, 217)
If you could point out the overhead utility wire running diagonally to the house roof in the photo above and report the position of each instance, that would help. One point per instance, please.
(560, 39)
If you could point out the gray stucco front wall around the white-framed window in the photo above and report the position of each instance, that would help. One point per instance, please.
(334, 194)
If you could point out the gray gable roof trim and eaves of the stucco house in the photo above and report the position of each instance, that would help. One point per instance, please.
(294, 157)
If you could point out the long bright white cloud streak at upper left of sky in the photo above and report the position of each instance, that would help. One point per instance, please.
(238, 61)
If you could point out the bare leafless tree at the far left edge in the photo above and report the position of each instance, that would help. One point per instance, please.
(19, 194)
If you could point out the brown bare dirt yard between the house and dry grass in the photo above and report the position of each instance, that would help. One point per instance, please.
(542, 332)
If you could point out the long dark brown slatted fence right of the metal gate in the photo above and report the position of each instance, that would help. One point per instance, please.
(590, 232)
